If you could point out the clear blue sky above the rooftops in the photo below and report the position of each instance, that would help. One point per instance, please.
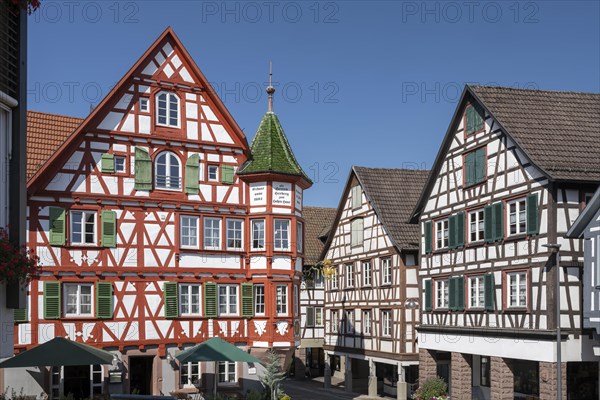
(359, 83)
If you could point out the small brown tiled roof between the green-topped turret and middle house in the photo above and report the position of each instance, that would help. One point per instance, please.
(316, 220)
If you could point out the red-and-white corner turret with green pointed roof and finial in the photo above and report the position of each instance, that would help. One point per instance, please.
(275, 184)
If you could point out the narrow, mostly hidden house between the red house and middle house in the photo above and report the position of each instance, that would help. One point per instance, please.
(310, 358)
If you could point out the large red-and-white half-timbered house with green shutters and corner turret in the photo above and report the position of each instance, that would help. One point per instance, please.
(158, 227)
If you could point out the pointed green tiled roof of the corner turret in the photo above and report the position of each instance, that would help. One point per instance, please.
(271, 152)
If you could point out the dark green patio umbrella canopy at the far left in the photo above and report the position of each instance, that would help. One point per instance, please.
(58, 352)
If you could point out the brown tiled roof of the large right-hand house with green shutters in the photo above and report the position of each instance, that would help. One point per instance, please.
(558, 131)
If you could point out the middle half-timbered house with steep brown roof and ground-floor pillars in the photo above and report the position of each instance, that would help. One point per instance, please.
(372, 298)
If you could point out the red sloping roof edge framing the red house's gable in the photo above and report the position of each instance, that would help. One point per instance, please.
(167, 36)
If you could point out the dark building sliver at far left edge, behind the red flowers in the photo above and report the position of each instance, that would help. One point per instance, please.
(13, 106)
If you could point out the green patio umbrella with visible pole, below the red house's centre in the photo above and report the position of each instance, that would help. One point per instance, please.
(215, 350)
